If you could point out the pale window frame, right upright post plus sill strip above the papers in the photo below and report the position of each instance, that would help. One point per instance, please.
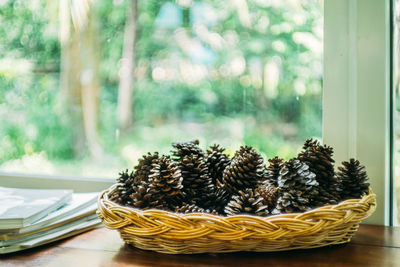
(356, 100)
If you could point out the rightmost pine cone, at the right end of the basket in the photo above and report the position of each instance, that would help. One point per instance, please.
(353, 177)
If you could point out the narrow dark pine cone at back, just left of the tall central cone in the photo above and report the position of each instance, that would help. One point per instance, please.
(216, 162)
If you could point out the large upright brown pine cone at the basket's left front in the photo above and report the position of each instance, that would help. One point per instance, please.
(165, 184)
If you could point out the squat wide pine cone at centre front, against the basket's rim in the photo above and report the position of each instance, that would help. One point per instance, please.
(246, 201)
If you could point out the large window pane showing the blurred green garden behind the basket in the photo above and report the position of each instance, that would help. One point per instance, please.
(87, 87)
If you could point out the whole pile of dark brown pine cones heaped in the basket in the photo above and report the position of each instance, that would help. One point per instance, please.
(191, 180)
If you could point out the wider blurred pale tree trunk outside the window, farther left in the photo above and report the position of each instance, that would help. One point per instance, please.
(79, 73)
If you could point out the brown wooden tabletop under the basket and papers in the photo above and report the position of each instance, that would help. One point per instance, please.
(372, 246)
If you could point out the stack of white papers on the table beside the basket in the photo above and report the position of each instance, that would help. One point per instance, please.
(31, 217)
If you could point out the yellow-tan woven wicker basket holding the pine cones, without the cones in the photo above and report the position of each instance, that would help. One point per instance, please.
(173, 233)
